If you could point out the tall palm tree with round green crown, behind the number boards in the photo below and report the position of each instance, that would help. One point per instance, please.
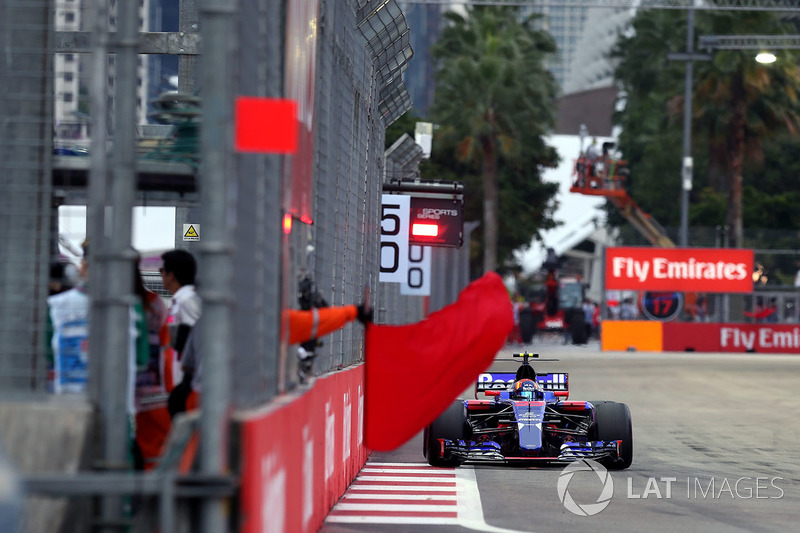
(494, 98)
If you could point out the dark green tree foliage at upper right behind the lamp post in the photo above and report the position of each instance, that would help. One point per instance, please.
(744, 117)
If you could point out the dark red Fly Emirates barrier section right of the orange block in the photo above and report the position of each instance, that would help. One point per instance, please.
(762, 338)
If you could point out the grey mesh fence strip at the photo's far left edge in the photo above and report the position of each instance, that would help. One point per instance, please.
(26, 192)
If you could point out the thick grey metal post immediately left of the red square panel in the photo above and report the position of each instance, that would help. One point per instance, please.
(216, 254)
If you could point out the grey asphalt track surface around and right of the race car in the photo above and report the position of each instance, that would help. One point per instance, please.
(716, 448)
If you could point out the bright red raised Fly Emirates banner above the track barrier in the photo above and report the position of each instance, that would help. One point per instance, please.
(679, 269)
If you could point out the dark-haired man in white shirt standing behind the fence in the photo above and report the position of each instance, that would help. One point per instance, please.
(178, 273)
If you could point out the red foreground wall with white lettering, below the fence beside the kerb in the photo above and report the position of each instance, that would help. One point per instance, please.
(300, 454)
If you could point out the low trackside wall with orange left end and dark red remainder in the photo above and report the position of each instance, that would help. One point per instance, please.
(651, 336)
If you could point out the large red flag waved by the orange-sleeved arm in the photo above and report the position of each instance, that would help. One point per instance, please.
(414, 372)
